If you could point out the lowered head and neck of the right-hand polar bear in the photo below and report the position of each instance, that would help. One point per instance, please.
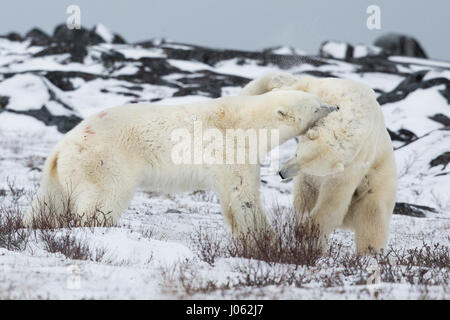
(334, 142)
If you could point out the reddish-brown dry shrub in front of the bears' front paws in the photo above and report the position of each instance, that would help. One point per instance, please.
(296, 241)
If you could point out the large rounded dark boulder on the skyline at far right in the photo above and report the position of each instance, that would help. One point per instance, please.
(402, 45)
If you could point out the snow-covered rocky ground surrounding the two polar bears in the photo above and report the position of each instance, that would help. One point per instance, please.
(152, 253)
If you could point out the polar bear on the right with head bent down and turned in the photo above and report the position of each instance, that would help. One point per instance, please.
(344, 169)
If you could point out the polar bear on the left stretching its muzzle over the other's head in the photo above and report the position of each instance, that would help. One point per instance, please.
(103, 160)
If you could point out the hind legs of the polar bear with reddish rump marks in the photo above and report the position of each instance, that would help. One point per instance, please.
(92, 194)
